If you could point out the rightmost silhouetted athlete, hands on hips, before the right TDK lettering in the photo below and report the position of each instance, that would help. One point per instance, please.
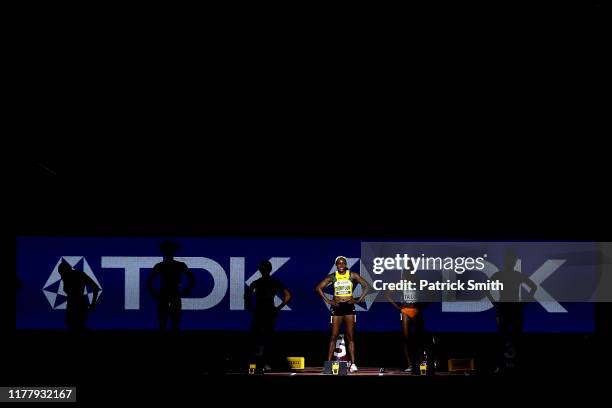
(509, 309)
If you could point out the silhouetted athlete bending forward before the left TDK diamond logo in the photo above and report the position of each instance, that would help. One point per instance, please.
(77, 304)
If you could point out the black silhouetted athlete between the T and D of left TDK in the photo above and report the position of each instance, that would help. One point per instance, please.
(169, 295)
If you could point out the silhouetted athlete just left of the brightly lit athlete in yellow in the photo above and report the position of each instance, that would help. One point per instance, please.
(264, 311)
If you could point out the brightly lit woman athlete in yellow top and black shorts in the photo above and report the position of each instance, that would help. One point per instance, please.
(343, 305)
